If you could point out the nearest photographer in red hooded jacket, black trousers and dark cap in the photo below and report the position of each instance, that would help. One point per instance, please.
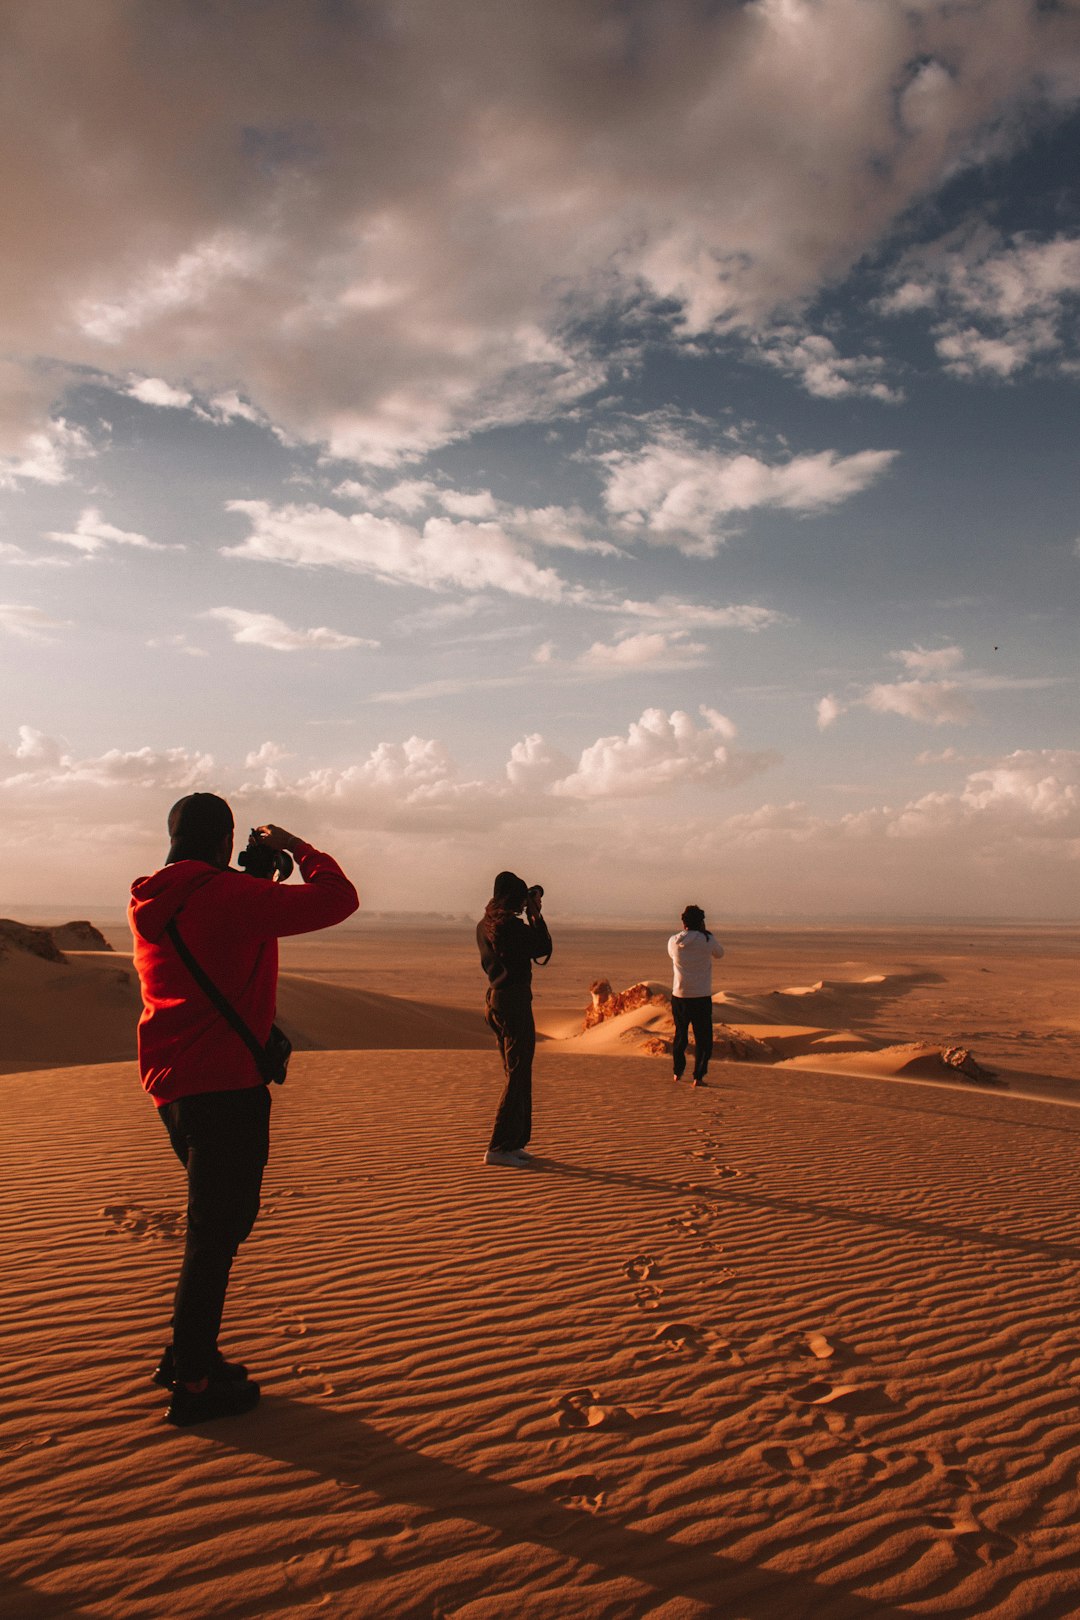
(200, 1072)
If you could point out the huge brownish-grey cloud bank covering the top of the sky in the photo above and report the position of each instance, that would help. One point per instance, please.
(297, 210)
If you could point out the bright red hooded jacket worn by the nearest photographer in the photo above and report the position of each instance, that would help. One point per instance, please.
(231, 924)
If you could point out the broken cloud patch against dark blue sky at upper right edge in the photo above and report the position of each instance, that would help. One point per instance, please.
(1000, 304)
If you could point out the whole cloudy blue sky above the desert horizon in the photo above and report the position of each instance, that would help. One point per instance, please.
(626, 441)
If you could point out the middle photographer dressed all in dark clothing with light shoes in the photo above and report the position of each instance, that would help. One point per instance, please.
(508, 950)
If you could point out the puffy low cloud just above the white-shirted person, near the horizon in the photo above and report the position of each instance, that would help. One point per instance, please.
(661, 752)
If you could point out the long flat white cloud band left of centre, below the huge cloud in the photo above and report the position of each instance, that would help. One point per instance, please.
(441, 555)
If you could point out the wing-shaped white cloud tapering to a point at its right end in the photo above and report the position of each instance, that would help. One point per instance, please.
(681, 495)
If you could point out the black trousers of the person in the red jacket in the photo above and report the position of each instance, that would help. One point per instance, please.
(224, 1141)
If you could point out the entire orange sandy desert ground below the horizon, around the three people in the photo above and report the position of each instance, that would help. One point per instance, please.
(804, 1342)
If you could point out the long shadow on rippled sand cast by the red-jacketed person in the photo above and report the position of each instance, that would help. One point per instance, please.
(364, 1459)
